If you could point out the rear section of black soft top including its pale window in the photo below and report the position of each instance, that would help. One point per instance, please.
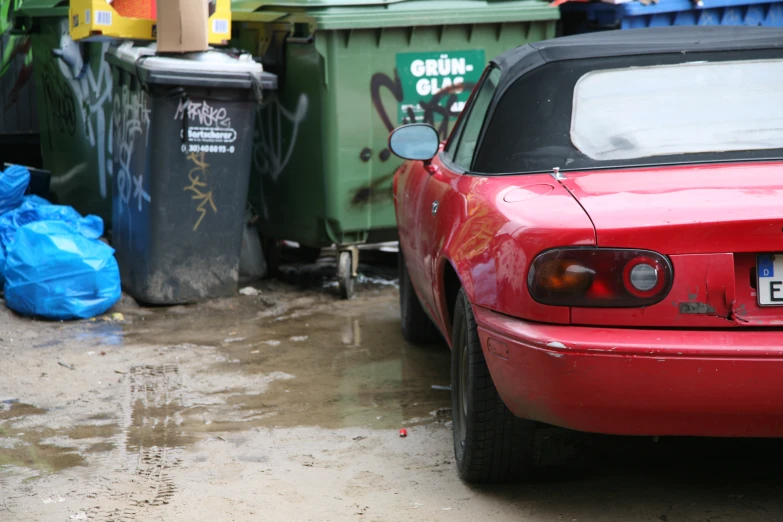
(629, 111)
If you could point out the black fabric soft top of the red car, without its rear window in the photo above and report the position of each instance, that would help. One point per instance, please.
(528, 125)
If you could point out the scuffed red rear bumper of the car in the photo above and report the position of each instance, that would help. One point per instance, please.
(638, 382)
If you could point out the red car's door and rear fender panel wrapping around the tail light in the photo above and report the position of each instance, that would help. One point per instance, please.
(489, 241)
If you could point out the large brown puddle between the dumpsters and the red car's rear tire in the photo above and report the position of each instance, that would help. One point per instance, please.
(351, 367)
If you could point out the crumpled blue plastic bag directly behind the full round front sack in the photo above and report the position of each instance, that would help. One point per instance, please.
(33, 209)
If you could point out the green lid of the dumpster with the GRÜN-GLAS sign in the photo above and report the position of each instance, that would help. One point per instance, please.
(357, 14)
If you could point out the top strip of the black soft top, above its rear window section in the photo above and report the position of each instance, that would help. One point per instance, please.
(638, 42)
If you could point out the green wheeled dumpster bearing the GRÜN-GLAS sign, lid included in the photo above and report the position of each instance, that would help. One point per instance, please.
(349, 72)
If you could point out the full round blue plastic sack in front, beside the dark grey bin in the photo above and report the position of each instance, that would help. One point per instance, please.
(59, 270)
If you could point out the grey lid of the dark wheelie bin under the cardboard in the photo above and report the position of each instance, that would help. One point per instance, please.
(201, 69)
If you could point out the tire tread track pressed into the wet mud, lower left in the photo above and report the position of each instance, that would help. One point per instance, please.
(150, 428)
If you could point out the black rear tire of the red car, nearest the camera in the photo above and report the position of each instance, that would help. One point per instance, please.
(491, 445)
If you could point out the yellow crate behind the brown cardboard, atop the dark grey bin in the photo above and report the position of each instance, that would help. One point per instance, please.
(96, 20)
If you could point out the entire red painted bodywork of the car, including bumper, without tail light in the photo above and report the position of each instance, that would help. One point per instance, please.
(688, 365)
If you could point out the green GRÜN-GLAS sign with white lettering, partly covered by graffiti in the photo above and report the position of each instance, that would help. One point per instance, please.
(436, 84)
